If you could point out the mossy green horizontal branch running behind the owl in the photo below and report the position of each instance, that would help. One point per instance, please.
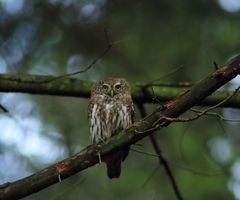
(50, 85)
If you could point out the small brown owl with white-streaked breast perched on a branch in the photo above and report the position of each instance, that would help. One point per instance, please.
(110, 110)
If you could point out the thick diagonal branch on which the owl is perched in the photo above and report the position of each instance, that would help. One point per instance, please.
(89, 155)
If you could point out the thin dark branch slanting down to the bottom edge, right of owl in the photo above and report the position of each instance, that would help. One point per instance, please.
(162, 160)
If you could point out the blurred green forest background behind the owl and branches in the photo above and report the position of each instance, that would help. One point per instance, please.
(150, 38)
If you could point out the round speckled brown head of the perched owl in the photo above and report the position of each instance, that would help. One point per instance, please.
(111, 87)
